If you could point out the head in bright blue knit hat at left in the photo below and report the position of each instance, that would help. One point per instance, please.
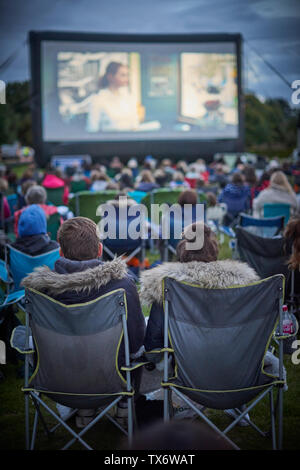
(32, 221)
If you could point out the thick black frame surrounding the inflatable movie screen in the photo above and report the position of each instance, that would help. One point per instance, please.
(183, 149)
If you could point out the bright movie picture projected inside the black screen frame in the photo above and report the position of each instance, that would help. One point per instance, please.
(138, 92)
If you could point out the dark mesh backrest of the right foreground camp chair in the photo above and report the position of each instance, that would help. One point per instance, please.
(220, 335)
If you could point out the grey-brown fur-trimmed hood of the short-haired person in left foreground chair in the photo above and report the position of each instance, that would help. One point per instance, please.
(93, 275)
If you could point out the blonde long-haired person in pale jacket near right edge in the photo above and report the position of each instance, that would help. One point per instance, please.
(279, 191)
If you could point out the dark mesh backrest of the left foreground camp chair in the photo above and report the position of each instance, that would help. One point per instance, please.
(77, 344)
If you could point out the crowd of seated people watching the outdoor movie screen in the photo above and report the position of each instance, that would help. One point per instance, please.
(80, 275)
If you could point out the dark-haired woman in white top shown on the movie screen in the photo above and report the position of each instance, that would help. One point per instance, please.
(113, 108)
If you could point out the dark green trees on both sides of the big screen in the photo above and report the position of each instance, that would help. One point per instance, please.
(270, 126)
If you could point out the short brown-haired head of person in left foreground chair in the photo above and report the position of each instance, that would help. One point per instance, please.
(79, 239)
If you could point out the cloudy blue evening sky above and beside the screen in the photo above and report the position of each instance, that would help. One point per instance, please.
(272, 27)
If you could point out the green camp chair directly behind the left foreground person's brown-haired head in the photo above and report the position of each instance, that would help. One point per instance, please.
(86, 203)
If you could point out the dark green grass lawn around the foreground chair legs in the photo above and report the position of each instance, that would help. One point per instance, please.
(104, 436)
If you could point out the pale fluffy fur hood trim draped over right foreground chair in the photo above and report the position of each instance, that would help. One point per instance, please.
(213, 275)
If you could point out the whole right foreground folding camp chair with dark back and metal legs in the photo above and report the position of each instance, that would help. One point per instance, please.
(219, 339)
